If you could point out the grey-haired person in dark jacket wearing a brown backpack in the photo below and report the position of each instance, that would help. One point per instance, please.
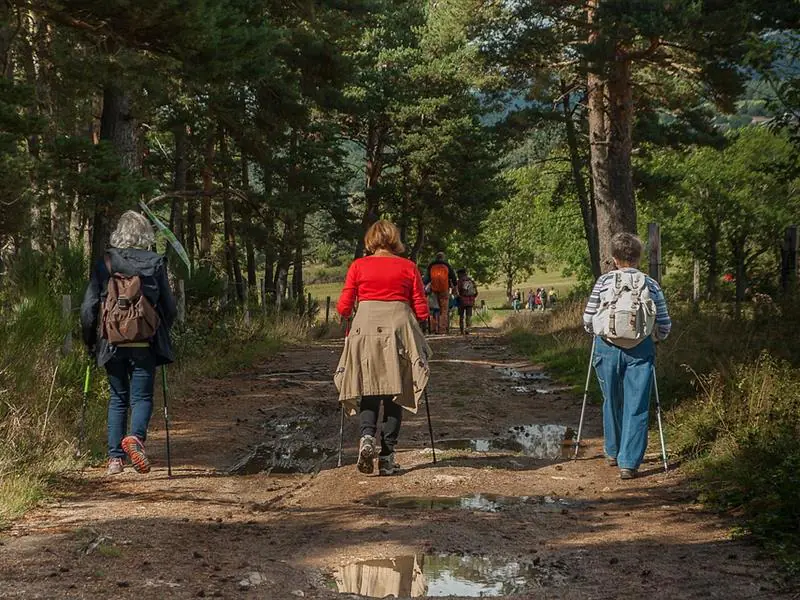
(126, 315)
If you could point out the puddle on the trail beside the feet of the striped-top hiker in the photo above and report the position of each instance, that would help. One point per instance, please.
(544, 442)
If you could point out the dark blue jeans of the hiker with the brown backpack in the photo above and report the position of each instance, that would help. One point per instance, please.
(131, 374)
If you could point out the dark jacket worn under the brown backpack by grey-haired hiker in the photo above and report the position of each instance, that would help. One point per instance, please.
(152, 269)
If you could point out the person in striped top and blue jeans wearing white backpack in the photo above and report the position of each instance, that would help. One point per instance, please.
(625, 311)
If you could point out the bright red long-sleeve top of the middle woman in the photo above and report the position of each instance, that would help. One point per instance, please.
(383, 278)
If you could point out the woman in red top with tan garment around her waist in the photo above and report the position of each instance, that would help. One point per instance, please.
(385, 357)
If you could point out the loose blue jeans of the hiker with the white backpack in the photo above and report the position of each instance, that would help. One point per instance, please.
(626, 378)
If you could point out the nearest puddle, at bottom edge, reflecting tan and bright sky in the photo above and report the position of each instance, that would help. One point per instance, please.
(445, 575)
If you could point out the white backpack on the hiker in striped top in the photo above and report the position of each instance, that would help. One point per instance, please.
(627, 313)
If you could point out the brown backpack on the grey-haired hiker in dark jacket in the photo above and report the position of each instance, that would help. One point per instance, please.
(128, 316)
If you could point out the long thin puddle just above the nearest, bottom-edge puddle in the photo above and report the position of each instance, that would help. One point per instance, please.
(492, 503)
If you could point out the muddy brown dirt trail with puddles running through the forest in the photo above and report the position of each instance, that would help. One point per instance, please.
(502, 513)
